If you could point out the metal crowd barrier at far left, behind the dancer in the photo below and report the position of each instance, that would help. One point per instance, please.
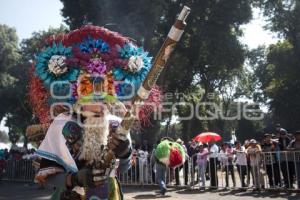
(19, 171)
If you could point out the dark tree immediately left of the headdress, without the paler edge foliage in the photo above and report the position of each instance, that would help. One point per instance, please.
(17, 108)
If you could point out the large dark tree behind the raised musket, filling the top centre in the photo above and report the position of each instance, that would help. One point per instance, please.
(208, 56)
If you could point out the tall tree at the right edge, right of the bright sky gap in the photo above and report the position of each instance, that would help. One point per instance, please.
(277, 67)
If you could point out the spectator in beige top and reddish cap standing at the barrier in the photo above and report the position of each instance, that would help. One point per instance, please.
(254, 152)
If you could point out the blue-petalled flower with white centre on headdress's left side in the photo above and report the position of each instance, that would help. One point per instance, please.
(52, 65)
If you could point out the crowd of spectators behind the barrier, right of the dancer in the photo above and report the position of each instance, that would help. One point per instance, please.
(273, 162)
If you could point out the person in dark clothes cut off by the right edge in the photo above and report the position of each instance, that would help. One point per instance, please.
(295, 146)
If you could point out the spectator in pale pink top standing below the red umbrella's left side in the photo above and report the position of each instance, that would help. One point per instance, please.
(201, 162)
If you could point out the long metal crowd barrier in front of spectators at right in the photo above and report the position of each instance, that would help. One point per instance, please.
(274, 170)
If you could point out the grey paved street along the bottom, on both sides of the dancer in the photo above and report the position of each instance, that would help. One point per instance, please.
(21, 191)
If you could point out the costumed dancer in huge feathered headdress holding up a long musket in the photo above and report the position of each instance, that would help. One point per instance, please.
(87, 76)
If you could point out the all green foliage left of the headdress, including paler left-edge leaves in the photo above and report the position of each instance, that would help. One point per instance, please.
(14, 100)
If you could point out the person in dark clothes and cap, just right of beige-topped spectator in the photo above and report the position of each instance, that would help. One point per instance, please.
(272, 168)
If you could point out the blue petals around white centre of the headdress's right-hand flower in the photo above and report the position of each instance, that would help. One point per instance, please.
(133, 78)
